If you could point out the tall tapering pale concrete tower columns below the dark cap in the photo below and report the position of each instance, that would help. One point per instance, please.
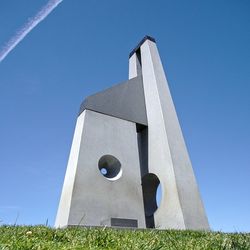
(181, 206)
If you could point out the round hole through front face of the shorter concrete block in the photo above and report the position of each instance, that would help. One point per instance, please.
(110, 167)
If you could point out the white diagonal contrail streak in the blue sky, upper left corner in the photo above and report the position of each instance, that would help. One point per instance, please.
(30, 25)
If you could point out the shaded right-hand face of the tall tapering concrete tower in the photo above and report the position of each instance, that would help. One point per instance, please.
(190, 200)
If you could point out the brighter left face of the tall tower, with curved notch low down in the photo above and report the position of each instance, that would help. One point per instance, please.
(169, 214)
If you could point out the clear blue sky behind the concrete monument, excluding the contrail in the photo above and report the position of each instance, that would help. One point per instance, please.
(82, 47)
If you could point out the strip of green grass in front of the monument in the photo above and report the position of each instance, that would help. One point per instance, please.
(42, 237)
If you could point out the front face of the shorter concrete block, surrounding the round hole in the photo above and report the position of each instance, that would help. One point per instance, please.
(95, 199)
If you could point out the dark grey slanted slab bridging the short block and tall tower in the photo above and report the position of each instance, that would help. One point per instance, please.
(125, 101)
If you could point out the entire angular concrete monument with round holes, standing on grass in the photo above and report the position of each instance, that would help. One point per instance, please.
(127, 141)
